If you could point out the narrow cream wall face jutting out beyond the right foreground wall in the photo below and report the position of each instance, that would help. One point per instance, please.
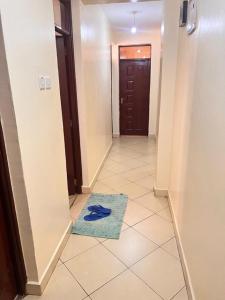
(168, 81)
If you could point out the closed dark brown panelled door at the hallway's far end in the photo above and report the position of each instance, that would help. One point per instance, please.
(134, 96)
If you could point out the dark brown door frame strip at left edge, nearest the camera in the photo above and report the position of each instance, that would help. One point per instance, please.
(8, 205)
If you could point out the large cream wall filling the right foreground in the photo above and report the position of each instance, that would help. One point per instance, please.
(196, 187)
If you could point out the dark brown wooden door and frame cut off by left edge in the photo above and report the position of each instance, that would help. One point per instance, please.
(12, 269)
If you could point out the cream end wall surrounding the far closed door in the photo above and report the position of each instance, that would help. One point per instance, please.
(126, 38)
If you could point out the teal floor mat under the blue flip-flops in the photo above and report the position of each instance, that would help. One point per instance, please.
(109, 227)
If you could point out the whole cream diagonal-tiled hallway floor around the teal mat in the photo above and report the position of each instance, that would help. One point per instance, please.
(144, 263)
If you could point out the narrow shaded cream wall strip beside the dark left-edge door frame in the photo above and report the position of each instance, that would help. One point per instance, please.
(9, 128)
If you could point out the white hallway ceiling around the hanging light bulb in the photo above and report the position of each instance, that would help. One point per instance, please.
(148, 18)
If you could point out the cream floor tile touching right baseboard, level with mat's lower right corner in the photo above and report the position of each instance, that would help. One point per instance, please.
(156, 229)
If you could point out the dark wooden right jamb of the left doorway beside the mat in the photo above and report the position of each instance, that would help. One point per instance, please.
(73, 95)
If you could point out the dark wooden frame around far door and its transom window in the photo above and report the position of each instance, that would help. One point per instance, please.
(137, 59)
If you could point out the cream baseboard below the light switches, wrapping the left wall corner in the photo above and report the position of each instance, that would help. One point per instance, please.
(37, 288)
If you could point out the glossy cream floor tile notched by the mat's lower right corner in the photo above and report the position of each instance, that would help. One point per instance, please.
(131, 246)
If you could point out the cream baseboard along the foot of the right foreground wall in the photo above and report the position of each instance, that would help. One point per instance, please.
(186, 272)
